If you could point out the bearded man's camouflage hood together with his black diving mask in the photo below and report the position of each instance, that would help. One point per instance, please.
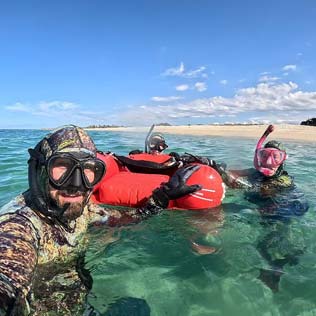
(64, 160)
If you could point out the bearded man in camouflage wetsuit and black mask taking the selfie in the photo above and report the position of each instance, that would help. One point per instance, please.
(43, 231)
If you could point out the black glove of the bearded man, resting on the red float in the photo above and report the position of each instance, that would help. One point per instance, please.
(176, 187)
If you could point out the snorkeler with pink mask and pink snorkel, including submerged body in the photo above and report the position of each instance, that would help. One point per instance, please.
(278, 200)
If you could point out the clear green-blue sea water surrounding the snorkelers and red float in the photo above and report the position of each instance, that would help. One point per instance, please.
(154, 260)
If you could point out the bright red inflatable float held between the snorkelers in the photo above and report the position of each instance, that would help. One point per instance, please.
(127, 183)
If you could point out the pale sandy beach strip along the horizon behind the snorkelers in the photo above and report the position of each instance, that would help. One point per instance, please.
(282, 131)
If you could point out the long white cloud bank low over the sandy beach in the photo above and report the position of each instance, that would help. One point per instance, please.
(282, 99)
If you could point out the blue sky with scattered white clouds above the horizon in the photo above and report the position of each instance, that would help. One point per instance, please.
(143, 62)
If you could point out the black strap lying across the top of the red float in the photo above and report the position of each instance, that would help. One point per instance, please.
(144, 166)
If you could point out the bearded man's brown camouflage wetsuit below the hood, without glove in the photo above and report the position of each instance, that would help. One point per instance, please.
(39, 259)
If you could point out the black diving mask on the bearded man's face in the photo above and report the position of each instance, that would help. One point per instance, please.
(61, 167)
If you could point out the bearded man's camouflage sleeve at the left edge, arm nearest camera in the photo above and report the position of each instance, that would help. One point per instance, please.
(18, 258)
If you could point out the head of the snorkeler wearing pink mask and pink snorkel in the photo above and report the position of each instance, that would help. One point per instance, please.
(269, 159)
